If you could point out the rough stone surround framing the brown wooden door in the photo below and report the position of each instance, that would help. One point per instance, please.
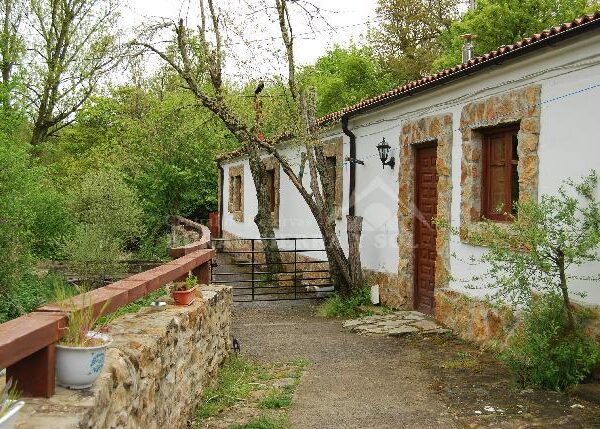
(414, 133)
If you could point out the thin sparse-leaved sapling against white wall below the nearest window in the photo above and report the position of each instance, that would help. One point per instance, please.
(538, 250)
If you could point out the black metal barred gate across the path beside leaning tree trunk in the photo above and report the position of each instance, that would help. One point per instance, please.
(303, 274)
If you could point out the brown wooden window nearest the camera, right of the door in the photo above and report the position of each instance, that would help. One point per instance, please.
(500, 187)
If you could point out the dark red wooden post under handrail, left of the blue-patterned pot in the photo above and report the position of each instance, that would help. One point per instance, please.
(34, 375)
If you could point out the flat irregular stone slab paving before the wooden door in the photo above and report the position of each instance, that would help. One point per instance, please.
(396, 324)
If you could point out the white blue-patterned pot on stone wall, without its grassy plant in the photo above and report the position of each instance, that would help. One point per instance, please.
(78, 367)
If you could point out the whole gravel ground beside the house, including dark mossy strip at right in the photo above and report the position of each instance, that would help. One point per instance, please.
(415, 381)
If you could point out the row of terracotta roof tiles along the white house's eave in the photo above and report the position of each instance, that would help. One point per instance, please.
(502, 50)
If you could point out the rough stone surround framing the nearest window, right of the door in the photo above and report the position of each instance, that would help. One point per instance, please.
(520, 106)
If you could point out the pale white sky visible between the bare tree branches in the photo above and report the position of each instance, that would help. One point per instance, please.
(259, 50)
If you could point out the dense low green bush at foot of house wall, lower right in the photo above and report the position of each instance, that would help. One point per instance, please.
(544, 354)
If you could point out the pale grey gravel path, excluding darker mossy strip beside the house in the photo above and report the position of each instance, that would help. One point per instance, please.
(354, 381)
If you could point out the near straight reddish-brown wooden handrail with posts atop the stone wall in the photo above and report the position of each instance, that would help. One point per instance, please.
(27, 344)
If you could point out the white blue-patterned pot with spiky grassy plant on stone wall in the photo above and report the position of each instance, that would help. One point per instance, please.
(81, 352)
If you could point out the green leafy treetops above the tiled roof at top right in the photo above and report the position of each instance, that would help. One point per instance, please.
(500, 22)
